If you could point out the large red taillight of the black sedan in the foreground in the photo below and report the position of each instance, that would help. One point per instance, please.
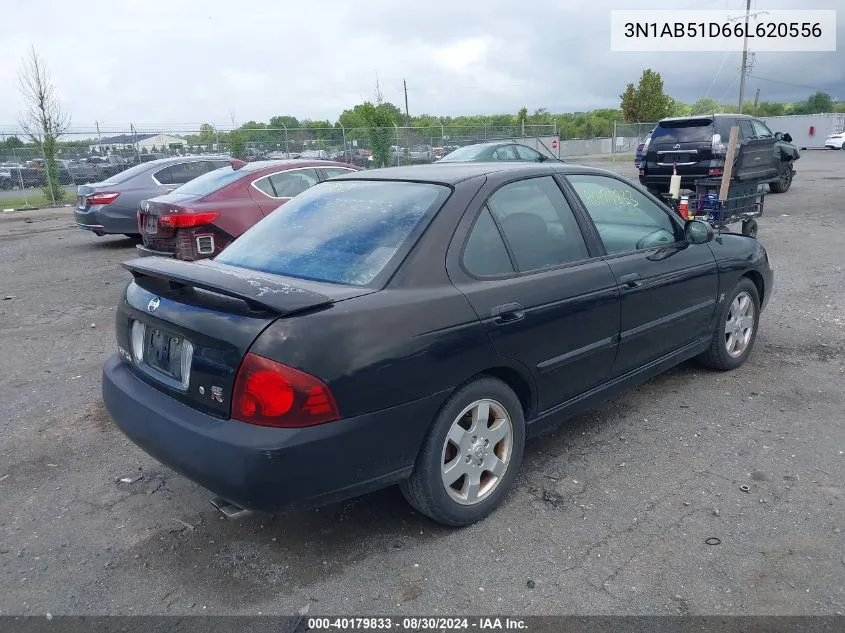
(271, 394)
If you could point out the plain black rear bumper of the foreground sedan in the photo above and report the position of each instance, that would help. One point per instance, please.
(264, 468)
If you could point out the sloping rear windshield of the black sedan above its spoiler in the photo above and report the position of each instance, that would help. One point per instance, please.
(339, 231)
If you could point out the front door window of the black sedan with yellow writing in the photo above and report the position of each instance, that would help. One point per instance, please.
(625, 218)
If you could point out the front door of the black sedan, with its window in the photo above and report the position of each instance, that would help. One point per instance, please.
(668, 287)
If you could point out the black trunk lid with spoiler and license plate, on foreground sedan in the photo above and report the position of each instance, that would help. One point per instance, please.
(196, 322)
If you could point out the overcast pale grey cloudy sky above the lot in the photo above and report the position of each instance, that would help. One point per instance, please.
(174, 64)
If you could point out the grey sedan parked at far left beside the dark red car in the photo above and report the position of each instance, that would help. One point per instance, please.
(111, 206)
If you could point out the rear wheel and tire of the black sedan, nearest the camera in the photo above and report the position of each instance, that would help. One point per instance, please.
(462, 444)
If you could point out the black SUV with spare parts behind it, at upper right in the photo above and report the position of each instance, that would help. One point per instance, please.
(697, 146)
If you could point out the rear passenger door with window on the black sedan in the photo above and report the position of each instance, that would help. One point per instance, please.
(547, 301)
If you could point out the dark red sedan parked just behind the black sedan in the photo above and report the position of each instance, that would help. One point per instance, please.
(200, 218)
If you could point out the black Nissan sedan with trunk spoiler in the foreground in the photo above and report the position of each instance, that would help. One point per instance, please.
(414, 325)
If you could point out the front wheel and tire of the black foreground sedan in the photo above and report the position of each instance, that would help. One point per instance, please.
(732, 341)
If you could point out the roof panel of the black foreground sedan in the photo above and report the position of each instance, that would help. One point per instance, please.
(453, 173)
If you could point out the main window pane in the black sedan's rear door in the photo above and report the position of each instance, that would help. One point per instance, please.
(538, 224)
